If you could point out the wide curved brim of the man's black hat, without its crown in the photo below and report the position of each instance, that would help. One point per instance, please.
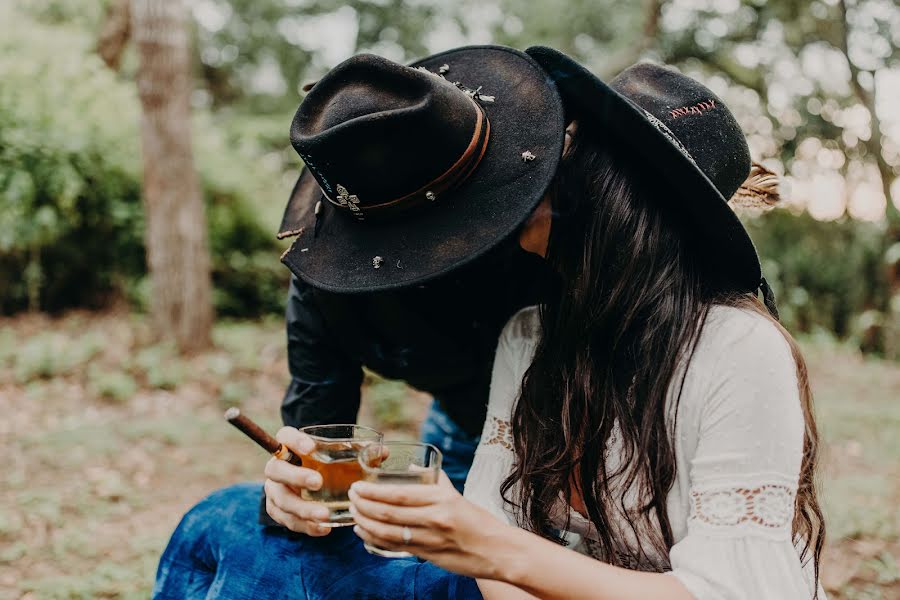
(466, 222)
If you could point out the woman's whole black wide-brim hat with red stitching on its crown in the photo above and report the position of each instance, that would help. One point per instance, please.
(687, 138)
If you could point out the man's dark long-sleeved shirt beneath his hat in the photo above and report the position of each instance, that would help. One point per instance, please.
(439, 337)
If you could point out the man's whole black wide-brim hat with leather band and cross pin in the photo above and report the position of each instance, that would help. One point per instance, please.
(371, 134)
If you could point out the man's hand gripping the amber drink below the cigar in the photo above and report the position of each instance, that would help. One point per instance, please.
(284, 482)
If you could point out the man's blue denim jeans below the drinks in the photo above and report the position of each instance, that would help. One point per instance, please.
(220, 551)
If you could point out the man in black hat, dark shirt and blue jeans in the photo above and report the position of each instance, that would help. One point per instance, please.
(406, 261)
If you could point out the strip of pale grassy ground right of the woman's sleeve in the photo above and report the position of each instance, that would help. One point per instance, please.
(859, 418)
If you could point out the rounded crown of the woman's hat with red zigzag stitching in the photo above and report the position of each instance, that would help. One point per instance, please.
(702, 126)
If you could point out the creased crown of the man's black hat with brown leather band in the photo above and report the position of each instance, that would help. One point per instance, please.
(379, 131)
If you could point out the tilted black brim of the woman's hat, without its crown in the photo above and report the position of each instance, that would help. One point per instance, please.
(718, 236)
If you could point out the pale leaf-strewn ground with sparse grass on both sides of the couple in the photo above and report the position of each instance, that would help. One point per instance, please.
(109, 438)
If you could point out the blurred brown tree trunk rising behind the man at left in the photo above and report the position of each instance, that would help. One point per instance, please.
(177, 254)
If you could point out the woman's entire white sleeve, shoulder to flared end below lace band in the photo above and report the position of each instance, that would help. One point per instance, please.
(744, 474)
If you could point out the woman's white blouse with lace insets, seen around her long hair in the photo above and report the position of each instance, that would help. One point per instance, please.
(738, 448)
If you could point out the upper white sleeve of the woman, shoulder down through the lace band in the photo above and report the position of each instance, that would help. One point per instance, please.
(750, 440)
